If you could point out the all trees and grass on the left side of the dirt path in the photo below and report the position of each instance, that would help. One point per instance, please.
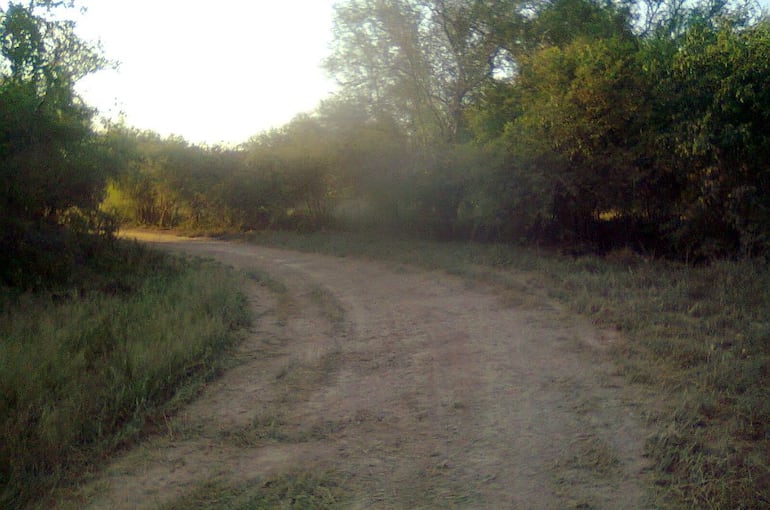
(99, 339)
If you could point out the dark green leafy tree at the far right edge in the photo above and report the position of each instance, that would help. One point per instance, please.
(720, 137)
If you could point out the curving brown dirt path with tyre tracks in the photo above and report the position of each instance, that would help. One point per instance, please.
(412, 389)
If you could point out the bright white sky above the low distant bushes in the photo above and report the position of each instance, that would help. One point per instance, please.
(210, 71)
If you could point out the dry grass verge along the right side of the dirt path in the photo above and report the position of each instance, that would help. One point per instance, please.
(699, 337)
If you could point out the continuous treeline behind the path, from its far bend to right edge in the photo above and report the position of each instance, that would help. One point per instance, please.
(582, 123)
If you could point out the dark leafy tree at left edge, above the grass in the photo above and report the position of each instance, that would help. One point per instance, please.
(53, 170)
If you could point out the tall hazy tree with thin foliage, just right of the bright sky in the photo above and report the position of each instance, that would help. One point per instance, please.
(418, 62)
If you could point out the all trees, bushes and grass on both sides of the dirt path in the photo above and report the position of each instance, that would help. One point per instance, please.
(630, 135)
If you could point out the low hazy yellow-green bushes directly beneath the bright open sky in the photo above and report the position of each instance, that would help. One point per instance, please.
(282, 179)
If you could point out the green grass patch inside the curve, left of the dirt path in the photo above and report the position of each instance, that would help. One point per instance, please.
(84, 370)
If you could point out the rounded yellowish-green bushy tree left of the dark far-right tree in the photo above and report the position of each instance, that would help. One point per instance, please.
(578, 134)
